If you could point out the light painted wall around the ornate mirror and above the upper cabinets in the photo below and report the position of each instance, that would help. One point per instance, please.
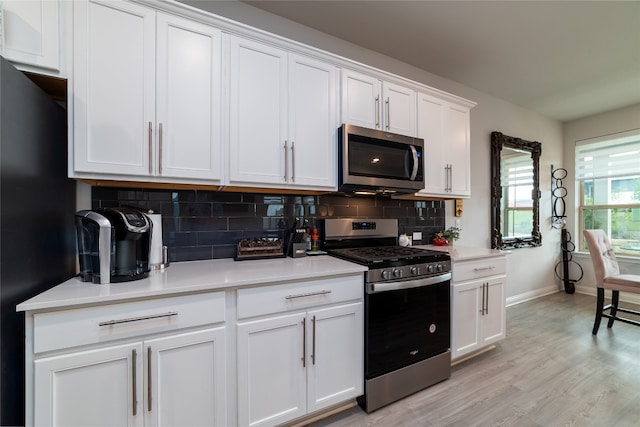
(530, 270)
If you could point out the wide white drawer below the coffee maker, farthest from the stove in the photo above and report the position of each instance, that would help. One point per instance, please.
(69, 328)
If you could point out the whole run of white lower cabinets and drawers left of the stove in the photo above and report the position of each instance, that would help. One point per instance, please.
(297, 349)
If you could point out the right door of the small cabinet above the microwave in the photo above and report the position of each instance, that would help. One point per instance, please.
(399, 109)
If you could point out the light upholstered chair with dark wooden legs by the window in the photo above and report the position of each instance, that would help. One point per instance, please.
(608, 276)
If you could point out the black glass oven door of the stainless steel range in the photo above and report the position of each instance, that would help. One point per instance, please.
(406, 322)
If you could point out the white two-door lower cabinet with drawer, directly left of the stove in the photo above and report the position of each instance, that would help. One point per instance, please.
(295, 363)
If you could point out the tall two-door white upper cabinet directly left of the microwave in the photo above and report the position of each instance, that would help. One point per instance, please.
(282, 116)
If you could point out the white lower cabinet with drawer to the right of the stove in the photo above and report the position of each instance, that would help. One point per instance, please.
(478, 305)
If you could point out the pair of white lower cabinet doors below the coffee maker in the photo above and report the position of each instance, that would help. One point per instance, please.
(169, 381)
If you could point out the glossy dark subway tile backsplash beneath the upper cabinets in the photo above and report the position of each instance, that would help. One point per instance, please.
(199, 224)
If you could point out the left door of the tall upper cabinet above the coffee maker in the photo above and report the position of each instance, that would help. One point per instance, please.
(113, 87)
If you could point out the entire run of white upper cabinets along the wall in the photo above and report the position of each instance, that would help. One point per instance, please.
(161, 96)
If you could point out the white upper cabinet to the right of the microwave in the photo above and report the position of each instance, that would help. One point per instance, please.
(445, 128)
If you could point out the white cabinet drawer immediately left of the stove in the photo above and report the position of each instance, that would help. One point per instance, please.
(279, 298)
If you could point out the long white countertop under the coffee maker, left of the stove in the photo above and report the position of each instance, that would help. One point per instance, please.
(192, 276)
